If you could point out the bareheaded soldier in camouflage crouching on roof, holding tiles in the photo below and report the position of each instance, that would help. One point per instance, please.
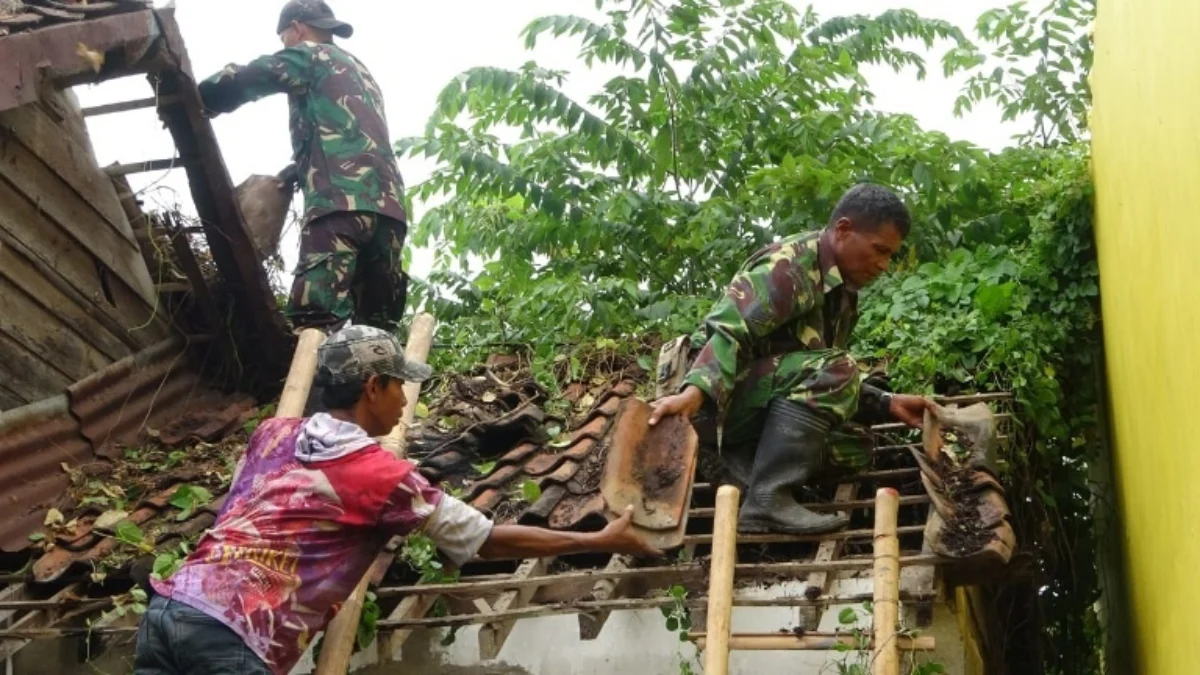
(773, 379)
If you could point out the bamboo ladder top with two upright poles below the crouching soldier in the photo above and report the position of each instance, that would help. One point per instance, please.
(886, 646)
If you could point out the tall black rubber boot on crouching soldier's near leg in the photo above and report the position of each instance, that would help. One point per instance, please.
(791, 452)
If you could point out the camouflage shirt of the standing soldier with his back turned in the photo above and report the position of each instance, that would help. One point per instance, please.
(339, 133)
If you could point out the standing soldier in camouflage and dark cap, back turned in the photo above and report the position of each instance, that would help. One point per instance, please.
(355, 222)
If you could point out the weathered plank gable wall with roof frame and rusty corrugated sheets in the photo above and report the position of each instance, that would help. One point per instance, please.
(95, 344)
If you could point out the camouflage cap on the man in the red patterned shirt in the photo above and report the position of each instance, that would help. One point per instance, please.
(358, 351)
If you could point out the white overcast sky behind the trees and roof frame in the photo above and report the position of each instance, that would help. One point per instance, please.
(413, 49)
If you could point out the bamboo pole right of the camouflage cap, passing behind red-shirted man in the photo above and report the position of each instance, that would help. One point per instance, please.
(340, 635)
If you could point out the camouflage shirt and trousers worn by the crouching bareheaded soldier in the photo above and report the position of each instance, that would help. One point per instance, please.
(782, 331)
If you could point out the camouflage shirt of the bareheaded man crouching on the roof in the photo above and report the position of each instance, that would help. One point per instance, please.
(787, 298)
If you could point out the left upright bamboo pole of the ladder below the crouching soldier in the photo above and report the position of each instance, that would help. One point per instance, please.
(721, 583)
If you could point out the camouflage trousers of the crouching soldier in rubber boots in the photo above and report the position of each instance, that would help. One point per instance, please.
(826, 380)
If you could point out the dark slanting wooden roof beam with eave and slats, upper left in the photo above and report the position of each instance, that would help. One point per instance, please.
(76, 44)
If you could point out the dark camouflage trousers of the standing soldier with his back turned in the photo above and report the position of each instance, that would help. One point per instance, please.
(350, 268)
